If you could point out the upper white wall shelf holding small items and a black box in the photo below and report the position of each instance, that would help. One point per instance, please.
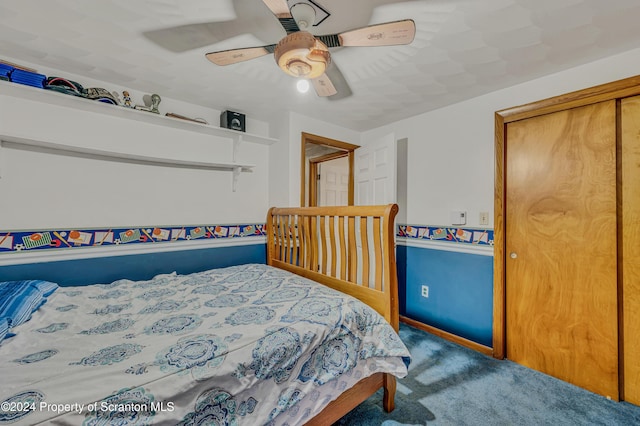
(59, 99)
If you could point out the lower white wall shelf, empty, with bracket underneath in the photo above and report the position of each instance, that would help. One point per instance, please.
(7, 141)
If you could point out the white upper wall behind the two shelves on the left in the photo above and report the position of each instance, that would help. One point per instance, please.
(43, 189)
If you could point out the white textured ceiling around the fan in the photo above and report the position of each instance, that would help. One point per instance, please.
(462, 49)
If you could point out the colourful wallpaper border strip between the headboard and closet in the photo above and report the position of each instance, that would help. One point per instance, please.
(469, 236)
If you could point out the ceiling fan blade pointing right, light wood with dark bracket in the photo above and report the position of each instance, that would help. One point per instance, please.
(387, 34)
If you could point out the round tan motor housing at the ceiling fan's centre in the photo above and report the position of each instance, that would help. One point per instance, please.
(301, 55)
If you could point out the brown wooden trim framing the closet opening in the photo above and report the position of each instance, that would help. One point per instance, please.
(609, 91)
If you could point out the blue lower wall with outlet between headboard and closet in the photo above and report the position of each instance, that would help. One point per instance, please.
(460, 291)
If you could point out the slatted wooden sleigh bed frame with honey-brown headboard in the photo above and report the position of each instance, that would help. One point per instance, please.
(352, 250)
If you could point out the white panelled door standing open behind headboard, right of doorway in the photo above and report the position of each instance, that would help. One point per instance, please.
(375, 172)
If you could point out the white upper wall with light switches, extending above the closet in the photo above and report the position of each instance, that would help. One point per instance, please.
(451, 150)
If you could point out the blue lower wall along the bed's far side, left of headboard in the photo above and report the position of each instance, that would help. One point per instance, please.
(135, 267)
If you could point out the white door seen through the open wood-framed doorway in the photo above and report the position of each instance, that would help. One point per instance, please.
(334, 182)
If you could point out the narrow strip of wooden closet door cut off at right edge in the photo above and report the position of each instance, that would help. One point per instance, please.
(629, 234)
